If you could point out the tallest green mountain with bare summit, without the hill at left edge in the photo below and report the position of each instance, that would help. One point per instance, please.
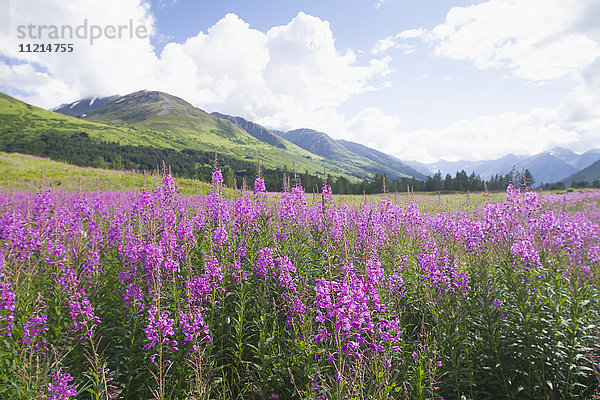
(184, 126)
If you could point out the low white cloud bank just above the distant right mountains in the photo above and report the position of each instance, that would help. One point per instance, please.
(481, 138)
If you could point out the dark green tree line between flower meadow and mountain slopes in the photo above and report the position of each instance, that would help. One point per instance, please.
(79, 149)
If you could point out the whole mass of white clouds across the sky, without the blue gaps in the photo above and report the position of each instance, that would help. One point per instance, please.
(293, 75)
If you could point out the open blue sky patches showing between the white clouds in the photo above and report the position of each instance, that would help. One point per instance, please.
(452, 90)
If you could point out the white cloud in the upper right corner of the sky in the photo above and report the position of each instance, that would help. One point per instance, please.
(537, 40)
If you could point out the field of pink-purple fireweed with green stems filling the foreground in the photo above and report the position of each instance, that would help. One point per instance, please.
(155, 295)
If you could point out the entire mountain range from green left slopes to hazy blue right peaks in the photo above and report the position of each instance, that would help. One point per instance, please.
(163, 121)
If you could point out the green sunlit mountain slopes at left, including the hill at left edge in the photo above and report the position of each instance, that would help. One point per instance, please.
(152, 120)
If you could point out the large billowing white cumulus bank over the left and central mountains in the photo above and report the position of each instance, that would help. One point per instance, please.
(289, 76)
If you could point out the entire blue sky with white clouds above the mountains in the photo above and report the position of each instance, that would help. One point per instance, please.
(419, 80)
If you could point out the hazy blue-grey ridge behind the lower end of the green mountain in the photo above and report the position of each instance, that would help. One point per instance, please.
(321, 144)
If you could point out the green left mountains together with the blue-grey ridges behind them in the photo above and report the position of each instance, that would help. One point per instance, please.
(162, 121)
